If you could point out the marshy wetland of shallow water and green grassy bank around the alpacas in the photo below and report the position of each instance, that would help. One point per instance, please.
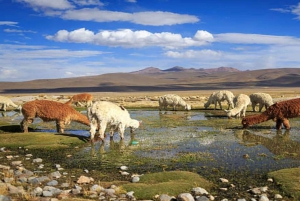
(201, 141)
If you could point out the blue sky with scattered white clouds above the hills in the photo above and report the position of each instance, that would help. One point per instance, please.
(43, 39)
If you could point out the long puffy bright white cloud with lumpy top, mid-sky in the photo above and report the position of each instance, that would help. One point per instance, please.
(128, 38)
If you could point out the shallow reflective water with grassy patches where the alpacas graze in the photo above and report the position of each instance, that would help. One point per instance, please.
(193, 140)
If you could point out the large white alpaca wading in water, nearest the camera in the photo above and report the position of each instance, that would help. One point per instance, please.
(103, 114)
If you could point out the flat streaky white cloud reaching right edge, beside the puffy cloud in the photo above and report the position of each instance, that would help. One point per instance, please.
(240, 38)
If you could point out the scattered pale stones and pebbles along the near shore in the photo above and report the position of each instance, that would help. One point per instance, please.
(48, 188)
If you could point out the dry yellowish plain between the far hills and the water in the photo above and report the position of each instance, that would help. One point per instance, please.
(150, 99)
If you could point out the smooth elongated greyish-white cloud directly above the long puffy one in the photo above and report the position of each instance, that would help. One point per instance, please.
(155, 18)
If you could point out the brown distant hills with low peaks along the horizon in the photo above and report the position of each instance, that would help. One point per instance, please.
(154, 79)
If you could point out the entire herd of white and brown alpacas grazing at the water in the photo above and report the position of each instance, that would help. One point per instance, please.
(104, 114)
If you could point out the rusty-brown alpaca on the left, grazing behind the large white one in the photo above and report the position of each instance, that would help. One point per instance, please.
(51, 111)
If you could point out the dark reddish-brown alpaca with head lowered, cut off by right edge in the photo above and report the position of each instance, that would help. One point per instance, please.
(279, 112)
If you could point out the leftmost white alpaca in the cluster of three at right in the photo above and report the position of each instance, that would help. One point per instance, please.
(218, 97)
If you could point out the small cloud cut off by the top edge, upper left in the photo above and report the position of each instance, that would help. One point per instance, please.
(48, 4)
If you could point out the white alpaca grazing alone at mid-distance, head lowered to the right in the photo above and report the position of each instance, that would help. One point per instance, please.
(172, 100)
